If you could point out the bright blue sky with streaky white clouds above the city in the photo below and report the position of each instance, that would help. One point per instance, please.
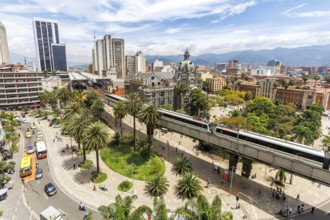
(168, 27)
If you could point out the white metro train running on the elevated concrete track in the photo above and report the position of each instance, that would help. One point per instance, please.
(287, 147)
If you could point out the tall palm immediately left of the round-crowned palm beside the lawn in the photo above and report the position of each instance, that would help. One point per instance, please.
(76, 127)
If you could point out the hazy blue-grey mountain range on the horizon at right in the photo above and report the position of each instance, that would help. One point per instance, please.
(317, 55)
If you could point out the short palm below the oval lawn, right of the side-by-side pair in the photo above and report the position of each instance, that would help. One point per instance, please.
(188, 187)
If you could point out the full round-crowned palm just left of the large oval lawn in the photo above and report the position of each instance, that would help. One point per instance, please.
(95, 138)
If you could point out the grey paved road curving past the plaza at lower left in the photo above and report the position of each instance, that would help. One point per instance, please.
(37, 198)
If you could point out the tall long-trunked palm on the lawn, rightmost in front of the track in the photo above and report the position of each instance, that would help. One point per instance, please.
(150, 116)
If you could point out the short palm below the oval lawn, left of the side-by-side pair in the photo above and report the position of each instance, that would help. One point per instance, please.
(157, 186)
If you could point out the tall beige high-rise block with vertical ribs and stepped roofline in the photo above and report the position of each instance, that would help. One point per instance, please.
(109, 53)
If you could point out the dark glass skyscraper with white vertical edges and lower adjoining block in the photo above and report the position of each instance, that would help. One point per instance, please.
(51, 54)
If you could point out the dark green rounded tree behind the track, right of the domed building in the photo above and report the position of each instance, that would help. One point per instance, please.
(198, 102)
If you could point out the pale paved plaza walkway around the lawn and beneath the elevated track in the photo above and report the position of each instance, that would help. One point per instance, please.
(76, 183)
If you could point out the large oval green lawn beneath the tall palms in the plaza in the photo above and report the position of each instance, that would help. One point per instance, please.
(120, 159)
